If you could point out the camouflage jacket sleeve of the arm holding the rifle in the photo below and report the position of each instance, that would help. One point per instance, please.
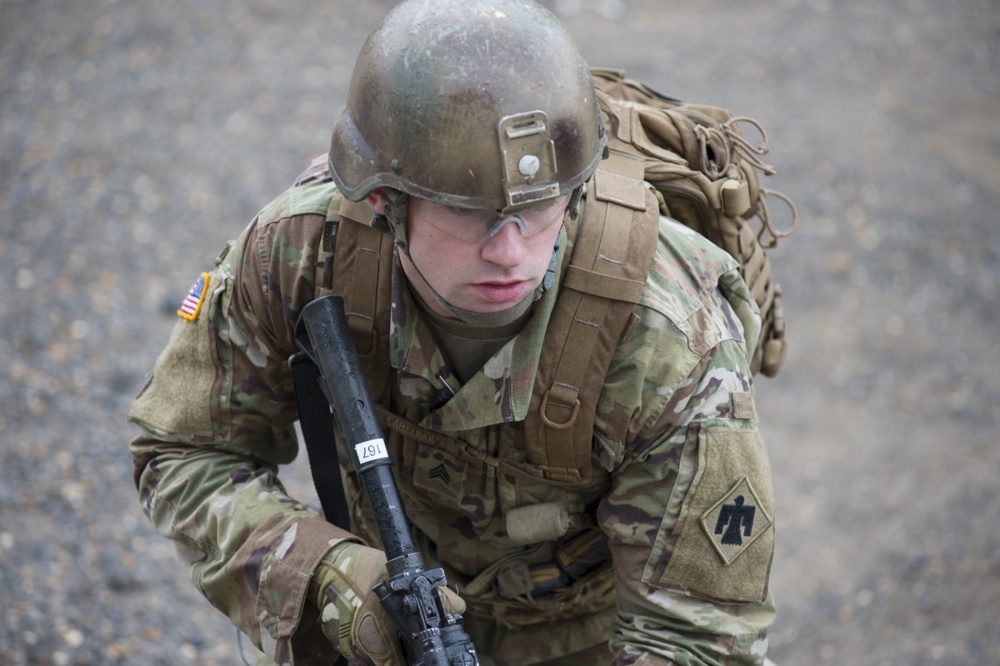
(217, 418)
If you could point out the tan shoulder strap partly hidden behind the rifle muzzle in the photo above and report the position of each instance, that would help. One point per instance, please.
(362, 274)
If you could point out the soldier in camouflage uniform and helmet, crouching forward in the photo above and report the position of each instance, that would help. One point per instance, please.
(469, 145)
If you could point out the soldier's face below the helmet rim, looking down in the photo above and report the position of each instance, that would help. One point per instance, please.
(490, 275)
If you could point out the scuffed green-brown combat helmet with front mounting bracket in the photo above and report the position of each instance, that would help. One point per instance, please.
(482, 104)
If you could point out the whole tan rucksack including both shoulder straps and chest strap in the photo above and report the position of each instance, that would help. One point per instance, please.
(705, 174)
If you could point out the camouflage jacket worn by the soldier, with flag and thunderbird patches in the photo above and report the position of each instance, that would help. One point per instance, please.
(667, 554)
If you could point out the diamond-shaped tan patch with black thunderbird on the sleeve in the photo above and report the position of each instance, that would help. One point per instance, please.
(735, 521)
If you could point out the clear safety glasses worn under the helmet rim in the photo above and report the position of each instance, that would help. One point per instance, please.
(475, 226)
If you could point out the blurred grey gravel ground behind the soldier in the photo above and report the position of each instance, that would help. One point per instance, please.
(137, 137)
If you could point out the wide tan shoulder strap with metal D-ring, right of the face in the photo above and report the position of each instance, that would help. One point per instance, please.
(612, 254)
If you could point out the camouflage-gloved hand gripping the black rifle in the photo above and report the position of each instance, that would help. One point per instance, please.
(352, 615)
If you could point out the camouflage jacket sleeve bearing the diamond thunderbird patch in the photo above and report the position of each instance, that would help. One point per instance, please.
(690, 517)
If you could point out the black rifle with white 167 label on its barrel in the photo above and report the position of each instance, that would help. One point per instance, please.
(428, 634)
